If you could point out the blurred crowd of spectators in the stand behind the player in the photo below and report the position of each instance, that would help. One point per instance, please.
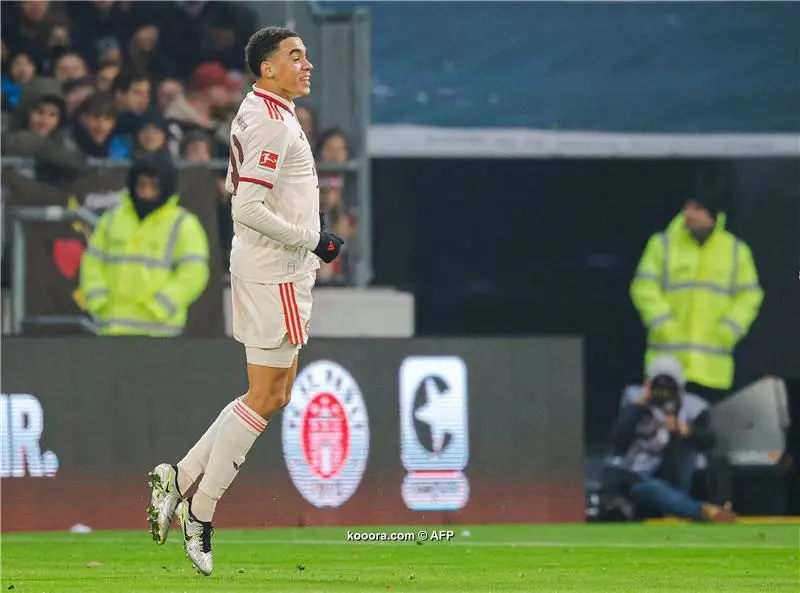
(119, 80)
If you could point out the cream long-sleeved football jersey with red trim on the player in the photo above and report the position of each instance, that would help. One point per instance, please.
(271, 161)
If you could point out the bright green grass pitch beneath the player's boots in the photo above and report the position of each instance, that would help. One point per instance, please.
(631, 558)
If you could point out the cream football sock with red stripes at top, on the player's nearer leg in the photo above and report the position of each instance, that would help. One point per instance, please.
(237, 433)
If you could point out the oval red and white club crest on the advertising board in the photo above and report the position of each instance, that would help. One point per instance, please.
(326, 434)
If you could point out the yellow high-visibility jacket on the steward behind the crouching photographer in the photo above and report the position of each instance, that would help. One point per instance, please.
(697, 301)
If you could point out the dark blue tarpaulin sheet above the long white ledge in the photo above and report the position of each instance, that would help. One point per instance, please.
(680, 67)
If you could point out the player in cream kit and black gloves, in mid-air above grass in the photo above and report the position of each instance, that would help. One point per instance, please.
(275, 254)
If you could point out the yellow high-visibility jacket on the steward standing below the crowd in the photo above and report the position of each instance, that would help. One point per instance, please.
(139, 277)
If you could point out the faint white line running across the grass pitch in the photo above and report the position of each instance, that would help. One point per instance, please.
(10, 541)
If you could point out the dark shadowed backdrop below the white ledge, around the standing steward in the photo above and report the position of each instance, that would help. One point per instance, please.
(550, 246)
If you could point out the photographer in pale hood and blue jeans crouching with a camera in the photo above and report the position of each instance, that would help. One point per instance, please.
(655, 446)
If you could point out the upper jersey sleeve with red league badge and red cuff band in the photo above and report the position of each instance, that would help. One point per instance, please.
(257, 154)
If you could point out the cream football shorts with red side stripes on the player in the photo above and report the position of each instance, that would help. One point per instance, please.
(271, 320)
